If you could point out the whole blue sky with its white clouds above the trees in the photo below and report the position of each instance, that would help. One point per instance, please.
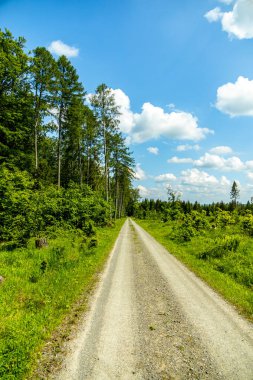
(182, 73)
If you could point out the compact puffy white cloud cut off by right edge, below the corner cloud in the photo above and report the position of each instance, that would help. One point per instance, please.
(236, 99)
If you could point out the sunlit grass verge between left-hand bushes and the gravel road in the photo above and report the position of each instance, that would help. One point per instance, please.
(39, 288)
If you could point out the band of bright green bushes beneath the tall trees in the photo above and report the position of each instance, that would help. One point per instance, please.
(27, 212)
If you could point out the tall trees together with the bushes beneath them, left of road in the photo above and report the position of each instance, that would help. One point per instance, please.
(64, 161)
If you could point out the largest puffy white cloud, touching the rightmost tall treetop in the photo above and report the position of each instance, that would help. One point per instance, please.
(153, 122)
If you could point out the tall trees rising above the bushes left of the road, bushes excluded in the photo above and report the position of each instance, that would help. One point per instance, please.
(51, 132)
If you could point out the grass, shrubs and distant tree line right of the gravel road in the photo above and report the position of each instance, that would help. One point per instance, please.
(215, 241)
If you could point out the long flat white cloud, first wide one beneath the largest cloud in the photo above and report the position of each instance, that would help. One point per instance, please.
(212, 161)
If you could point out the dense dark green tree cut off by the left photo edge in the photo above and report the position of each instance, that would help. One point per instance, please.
(15, 102)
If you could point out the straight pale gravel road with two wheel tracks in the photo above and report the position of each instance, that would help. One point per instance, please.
(151, 318)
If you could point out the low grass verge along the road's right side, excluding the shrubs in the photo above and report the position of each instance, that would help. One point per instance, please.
(227, 275)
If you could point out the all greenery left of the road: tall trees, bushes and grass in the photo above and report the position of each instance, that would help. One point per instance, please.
(65, 185)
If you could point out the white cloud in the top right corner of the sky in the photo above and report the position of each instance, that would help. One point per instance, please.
(237, 22)
